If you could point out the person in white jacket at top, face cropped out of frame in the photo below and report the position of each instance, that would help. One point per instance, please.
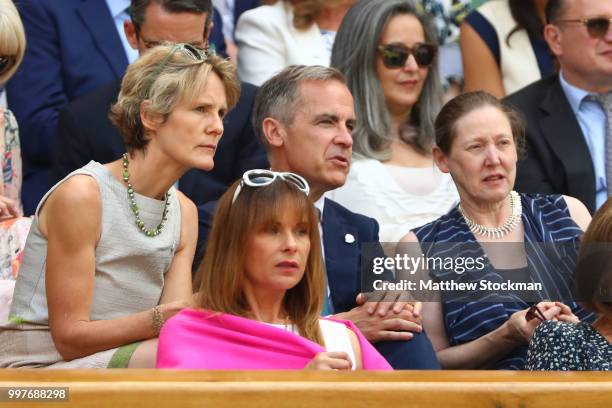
(287, 32)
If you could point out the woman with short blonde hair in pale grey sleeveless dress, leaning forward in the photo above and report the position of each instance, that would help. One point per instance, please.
(109, 255)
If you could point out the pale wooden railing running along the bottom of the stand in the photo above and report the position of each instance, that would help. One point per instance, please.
(164, 388)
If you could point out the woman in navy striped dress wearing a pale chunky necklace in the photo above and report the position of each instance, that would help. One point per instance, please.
(478, 140)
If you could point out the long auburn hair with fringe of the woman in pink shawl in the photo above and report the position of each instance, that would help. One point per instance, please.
(222, 273)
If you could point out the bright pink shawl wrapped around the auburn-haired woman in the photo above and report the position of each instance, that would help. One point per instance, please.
(201, 339)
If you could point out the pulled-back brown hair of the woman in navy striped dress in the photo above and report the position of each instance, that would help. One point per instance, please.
(446, 122)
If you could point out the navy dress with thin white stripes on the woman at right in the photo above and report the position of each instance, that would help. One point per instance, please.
(546, 219)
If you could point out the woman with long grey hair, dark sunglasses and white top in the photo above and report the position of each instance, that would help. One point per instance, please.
(387, 51)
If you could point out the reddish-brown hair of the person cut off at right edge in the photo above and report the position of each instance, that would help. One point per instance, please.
(594, 268)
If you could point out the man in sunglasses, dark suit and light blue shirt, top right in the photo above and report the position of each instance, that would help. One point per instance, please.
(569, 123)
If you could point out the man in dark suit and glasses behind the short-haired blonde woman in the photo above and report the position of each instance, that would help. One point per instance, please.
(85, 132)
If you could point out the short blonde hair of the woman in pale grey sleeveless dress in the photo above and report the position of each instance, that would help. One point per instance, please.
(166, 75)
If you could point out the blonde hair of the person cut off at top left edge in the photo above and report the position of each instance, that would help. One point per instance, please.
(12, 39)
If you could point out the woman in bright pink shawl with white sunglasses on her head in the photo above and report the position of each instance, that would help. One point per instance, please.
(262, 287)
